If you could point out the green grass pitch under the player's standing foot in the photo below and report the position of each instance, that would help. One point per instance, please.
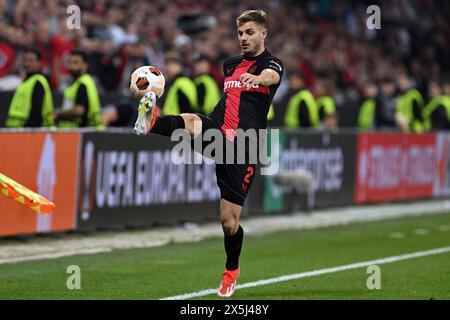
(174, 269)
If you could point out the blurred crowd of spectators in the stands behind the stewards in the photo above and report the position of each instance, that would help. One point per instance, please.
(325, 46)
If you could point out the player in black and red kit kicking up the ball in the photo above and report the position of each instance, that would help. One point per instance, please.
(251, 80)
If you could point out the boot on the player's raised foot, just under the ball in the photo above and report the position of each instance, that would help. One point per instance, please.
(147, 113)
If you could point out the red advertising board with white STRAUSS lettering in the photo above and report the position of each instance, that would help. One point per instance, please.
(395, 166)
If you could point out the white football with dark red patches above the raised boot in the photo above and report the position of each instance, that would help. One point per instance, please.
(145, 79)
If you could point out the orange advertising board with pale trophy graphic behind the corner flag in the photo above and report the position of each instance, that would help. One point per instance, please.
(46, 163)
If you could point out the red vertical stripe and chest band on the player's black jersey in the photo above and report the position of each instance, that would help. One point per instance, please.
(233, 91)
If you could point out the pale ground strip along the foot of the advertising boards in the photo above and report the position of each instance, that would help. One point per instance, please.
(50, 248)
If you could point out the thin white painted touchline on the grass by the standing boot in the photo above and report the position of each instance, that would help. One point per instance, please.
(316, 272)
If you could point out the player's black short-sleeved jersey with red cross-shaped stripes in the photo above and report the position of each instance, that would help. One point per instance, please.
(243, 107)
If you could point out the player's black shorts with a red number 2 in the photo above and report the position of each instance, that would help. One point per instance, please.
(234, 180)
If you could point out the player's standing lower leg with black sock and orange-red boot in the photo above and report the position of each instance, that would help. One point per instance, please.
(233, 237)
